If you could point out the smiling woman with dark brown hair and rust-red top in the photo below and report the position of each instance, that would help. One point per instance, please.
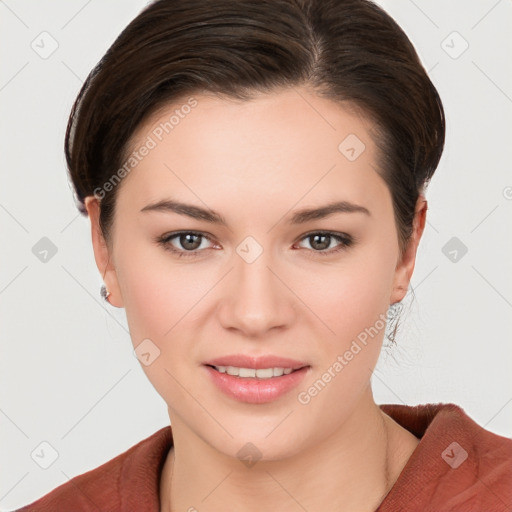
(254, 174)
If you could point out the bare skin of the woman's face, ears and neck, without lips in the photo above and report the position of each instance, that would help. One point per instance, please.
(256, 163)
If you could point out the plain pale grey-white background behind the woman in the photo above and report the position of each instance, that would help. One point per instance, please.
(67, 370)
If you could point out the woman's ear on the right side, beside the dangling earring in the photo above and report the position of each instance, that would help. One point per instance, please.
(405, 266)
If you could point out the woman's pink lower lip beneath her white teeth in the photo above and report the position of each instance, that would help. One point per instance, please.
(254, 390)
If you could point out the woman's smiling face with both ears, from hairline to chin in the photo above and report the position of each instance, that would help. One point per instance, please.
(259, 276)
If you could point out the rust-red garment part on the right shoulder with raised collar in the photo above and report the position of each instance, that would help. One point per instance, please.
(458, 465)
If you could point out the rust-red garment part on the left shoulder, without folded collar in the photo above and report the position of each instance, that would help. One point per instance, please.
(132, 475)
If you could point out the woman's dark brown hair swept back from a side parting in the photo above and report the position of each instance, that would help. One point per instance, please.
(345, 50)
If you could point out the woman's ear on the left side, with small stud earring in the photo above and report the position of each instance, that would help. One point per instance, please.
(102, 253)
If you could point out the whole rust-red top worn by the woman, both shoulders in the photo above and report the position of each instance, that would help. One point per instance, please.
(457, 466)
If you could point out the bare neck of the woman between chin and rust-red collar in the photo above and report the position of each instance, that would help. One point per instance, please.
(363, 458)
